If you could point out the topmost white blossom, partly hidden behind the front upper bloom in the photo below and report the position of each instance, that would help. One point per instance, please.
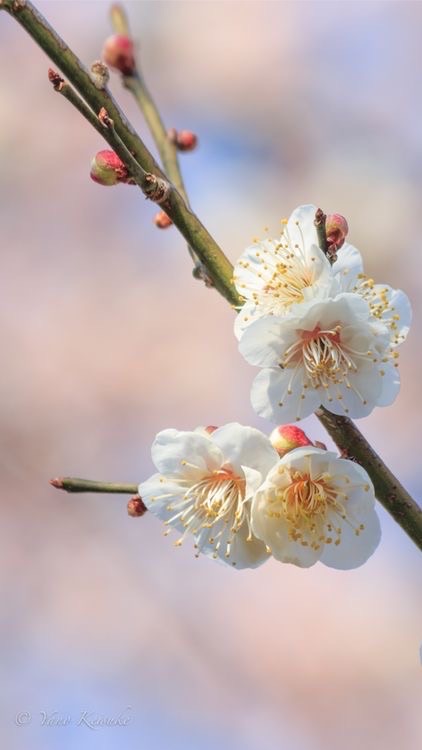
(274, 275)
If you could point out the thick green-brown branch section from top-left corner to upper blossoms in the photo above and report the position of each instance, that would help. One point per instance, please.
(210, 254)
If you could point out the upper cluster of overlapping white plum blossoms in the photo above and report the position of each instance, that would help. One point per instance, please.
(322, 334)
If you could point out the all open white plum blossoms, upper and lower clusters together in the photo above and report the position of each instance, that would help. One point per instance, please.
(323, 334)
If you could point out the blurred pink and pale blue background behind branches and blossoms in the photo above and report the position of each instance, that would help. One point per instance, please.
(107, 339)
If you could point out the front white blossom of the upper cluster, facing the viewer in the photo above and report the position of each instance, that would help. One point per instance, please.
(331, 352)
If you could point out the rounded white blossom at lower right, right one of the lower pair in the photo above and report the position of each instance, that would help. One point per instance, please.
(315, 506)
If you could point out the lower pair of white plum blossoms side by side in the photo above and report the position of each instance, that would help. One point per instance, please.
(240, 503)
